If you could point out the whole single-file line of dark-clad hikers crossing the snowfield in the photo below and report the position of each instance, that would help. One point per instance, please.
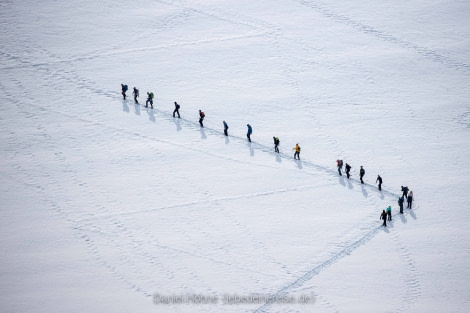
(296, 149)
